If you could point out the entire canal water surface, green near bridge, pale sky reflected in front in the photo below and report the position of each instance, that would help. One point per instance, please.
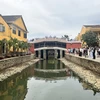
(47, 80)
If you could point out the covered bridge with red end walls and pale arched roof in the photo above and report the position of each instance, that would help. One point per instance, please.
(52, 47)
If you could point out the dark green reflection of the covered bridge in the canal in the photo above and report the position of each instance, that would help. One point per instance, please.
(51, 68)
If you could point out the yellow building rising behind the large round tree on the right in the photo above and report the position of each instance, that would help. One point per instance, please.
(86, 28)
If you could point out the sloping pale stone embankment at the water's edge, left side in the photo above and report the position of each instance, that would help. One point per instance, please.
(16, 69)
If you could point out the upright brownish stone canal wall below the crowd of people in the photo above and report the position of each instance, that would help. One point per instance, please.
(84, 62)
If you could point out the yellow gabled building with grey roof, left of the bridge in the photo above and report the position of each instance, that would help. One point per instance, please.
(13, 26)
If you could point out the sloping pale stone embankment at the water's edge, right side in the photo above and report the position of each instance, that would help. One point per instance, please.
(88, 76)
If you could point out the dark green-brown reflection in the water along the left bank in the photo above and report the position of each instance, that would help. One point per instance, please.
(15, 87)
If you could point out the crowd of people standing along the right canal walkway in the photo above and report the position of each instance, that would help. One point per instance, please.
(91, 52)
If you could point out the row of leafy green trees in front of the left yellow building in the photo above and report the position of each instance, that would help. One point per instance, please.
(15, 43)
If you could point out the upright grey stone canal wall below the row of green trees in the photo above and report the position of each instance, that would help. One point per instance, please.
(9, 62)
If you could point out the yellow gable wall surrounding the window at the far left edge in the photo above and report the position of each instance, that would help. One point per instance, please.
(7, 32)
